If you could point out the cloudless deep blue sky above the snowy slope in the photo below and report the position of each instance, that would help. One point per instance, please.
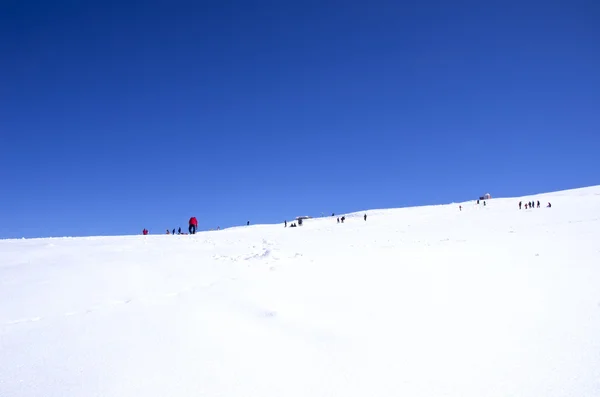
(115, 116)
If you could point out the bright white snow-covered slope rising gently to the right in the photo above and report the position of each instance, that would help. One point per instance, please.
(428, 301)
